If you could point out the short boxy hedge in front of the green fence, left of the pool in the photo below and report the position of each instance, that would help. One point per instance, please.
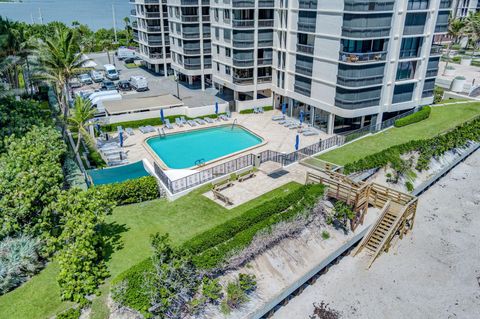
(132, 191)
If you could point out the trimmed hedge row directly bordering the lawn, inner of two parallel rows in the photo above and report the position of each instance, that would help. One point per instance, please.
(225, 231)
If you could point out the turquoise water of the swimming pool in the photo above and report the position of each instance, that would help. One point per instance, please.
(184, 150)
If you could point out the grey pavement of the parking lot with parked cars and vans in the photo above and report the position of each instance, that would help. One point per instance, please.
(158, 85)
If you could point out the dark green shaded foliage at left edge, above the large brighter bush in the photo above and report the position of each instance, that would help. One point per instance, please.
(18, 117)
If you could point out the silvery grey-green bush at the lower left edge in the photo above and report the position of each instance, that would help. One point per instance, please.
(19, 260)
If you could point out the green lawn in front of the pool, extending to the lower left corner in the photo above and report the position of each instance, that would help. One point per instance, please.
(130, 227)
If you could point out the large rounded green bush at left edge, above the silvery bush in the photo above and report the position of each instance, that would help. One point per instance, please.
(31, 177)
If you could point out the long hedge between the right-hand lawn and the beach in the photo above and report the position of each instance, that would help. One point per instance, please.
(435, 146)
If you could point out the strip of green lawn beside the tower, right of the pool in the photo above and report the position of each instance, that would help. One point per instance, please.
(442, 118)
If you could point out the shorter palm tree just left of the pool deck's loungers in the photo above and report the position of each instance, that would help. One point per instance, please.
(79, 120)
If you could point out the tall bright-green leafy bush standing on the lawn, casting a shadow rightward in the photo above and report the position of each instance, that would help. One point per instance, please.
(82, 242)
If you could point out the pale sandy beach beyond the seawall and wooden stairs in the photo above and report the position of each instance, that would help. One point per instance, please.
(432, 273)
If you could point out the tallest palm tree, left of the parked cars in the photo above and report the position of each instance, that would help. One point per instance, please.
(60, 58)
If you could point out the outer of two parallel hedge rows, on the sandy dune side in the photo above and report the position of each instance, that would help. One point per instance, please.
(215, 256)
